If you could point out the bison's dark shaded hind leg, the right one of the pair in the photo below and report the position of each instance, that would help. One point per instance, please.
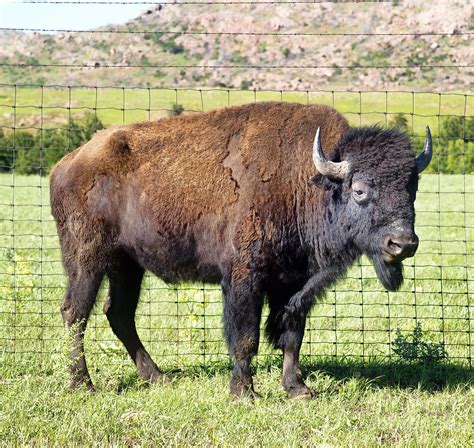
(125, 277)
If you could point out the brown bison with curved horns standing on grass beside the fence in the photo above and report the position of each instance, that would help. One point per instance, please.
(235, 196)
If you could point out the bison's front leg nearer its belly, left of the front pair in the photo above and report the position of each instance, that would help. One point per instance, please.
(243, 301)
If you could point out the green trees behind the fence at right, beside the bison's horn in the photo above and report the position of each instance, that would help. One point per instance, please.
(453, 152)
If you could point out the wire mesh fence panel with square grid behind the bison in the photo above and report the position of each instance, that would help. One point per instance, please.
(182, 324)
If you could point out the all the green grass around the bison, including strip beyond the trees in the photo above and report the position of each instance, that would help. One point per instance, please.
(364, 395)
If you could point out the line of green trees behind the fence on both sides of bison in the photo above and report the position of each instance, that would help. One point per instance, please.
(27, 152)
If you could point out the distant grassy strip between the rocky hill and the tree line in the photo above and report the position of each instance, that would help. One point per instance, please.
(47, 107)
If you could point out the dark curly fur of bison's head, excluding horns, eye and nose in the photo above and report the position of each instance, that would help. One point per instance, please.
(383, 159)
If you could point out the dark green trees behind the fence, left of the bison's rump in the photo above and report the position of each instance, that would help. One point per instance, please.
(36, 153)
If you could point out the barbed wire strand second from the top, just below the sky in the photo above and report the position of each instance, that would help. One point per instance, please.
(232, 33)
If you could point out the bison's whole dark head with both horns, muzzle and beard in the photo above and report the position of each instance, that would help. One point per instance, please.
(373, 175)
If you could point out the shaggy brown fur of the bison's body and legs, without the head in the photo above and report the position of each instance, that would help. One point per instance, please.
(223, 196)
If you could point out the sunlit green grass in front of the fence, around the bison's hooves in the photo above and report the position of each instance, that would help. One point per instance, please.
(350, 408)
